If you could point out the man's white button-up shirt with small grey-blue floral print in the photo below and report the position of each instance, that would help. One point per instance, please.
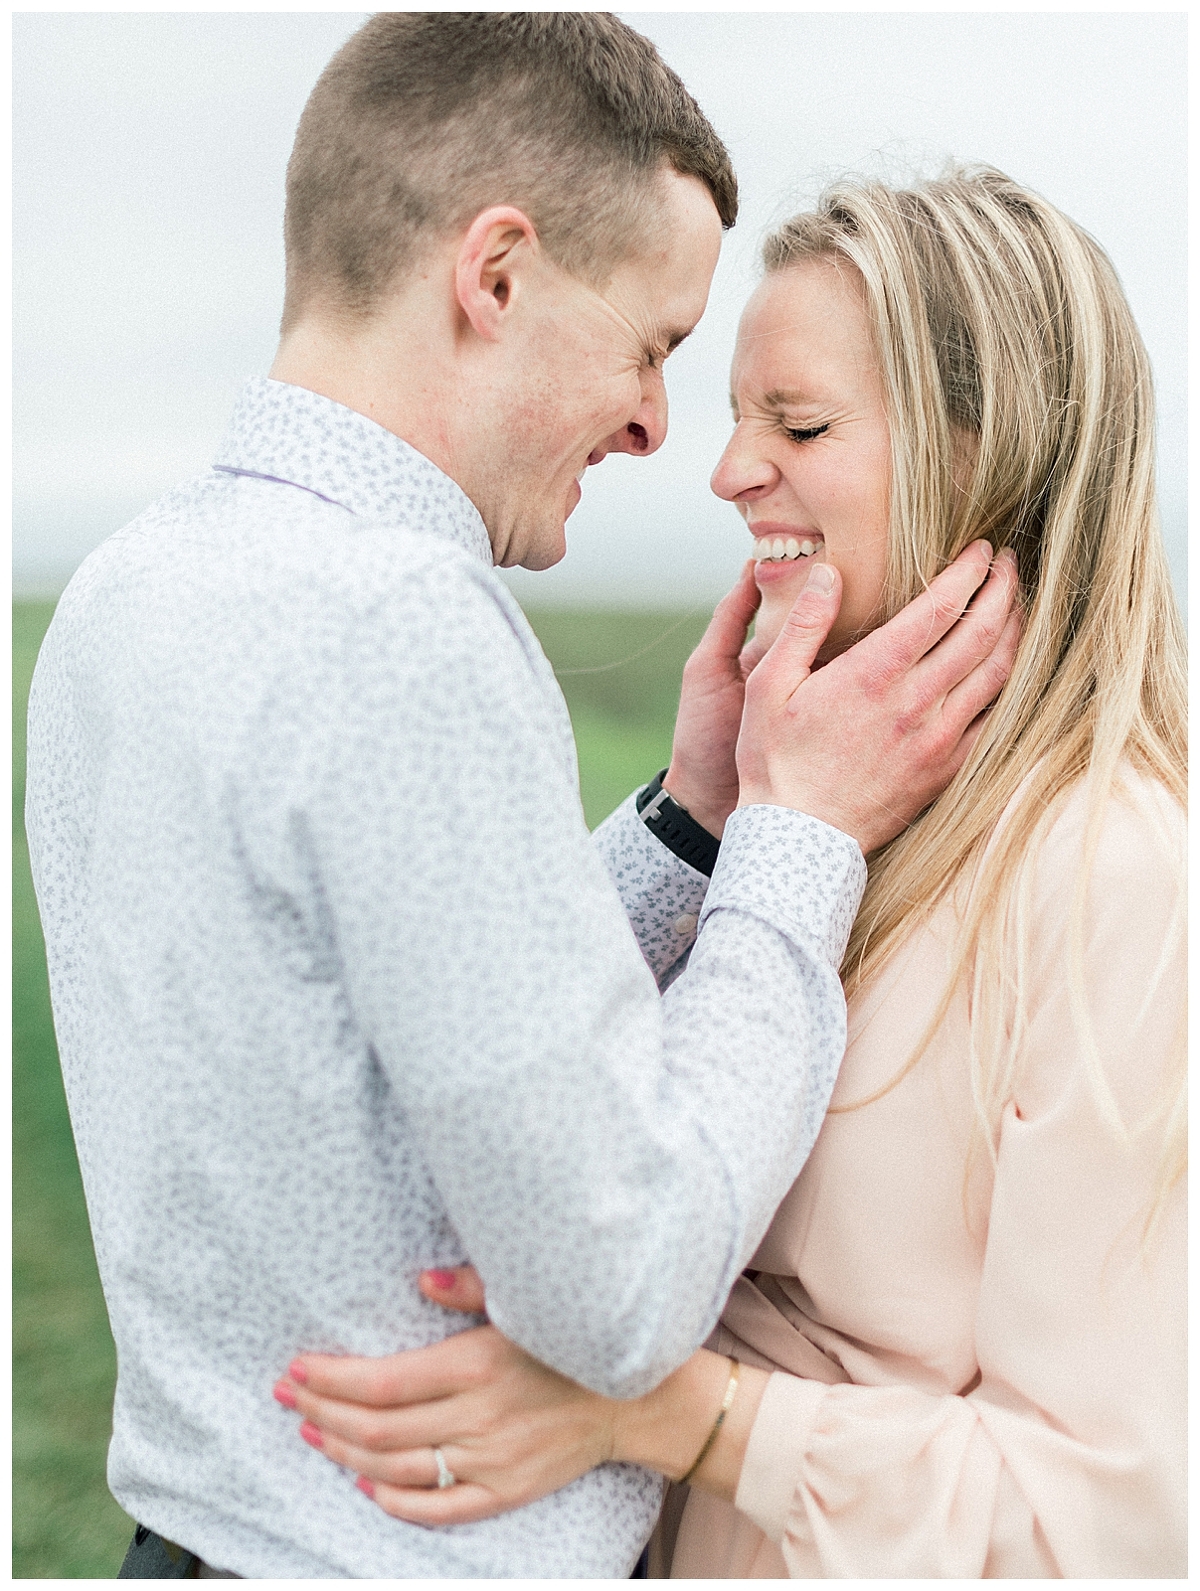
(345, 990)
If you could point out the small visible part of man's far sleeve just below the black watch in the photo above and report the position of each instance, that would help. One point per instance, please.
(660, 892)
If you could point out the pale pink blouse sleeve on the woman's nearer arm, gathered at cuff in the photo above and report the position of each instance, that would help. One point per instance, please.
(1069, 1458)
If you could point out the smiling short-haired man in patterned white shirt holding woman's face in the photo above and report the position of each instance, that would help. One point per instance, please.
(343, 987)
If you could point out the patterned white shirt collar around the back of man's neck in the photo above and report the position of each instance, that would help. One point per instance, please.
(298, 438)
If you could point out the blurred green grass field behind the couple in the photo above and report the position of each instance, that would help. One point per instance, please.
(64, 1520)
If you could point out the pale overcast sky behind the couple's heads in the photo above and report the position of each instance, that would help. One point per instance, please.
(149, 196)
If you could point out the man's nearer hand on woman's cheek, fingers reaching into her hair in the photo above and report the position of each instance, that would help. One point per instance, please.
(873, 737)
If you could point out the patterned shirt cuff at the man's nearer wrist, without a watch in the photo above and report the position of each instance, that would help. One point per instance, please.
(793, 873)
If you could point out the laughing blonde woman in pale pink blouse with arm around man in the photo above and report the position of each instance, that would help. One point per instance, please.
(962, 1342)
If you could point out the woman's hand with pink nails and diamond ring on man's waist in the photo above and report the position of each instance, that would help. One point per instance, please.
(510, 1428)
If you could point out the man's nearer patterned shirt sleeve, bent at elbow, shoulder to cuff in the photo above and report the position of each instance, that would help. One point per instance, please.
(609, 1159)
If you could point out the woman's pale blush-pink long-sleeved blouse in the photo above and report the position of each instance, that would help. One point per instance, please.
(983, 1369)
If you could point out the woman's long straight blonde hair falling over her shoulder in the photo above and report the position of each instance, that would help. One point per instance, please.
(1021, 408)
